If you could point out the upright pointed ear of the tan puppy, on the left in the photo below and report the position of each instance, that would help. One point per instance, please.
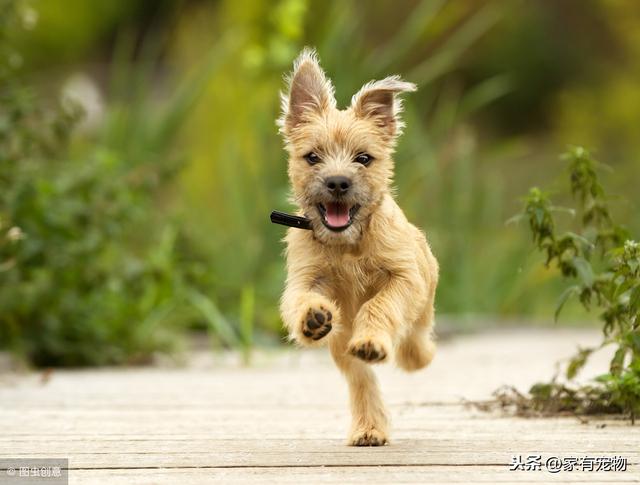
(309, 91)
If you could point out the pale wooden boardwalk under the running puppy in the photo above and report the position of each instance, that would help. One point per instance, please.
(284, 420)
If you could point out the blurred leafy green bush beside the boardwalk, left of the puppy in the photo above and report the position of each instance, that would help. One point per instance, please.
(78, 285)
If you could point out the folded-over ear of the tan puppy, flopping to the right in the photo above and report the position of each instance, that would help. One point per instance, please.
(379, 102)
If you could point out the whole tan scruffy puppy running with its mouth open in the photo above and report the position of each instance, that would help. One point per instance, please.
(363, 280)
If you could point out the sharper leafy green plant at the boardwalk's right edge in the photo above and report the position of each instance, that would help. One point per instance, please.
(605, 265)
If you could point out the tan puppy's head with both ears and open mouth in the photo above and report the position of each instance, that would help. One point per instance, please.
(340, 162)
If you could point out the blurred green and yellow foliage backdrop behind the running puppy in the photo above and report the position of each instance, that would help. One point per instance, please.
(139, 158)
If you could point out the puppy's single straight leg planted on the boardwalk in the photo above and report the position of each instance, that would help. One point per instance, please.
(369, 417)
